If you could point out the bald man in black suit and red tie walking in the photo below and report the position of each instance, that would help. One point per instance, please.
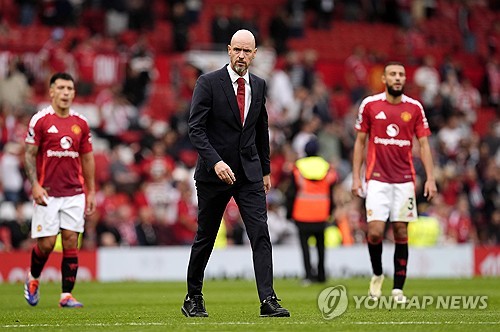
(228, 125)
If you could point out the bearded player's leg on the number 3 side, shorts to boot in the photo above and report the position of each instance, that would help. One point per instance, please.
(404, 210)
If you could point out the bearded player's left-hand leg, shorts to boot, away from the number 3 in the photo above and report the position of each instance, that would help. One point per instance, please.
(378, 202)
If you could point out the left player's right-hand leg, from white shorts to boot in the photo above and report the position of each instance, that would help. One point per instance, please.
(72, 223)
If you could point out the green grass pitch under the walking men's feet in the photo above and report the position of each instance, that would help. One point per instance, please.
(233, 306)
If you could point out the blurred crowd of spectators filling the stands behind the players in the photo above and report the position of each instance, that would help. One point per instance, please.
(144, 167)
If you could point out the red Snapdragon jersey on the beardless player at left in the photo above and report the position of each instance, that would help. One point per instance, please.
(61, 142)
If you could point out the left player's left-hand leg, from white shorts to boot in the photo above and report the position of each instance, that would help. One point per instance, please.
(44, 228)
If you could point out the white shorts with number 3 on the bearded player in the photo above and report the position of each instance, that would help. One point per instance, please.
(390, 201)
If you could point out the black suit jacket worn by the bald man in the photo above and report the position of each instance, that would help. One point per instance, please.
(216, 131)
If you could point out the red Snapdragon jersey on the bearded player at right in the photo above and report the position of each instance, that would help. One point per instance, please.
(391, 129)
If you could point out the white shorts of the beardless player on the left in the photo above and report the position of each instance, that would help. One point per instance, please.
(60, 213)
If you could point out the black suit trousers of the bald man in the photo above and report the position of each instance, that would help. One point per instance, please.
(212, 201)
